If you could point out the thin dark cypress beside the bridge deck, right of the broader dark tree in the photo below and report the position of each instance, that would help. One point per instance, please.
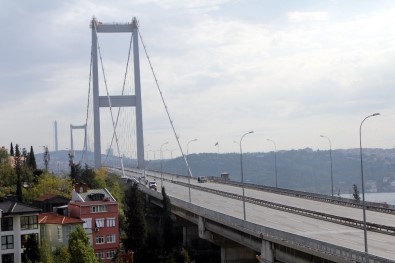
(167, 222)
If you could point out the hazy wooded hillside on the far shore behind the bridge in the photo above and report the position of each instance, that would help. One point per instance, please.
(304, 170)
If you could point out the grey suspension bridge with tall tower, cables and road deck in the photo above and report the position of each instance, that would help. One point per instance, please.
(277, 225)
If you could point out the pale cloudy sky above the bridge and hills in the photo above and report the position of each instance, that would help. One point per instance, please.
(288, 70)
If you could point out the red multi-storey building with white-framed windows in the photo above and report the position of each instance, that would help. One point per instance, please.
(99, 211)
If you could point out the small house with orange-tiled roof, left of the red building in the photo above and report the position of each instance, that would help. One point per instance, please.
(55, 228)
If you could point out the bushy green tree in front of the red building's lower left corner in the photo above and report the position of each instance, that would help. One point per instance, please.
(80, 247)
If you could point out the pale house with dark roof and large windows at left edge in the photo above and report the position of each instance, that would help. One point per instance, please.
(18, 222)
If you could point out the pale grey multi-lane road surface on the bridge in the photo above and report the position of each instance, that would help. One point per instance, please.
(382, 245)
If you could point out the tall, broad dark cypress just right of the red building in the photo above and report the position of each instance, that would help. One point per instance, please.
(136, 225)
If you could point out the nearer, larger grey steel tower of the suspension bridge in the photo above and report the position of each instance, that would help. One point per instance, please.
(119, 100)
